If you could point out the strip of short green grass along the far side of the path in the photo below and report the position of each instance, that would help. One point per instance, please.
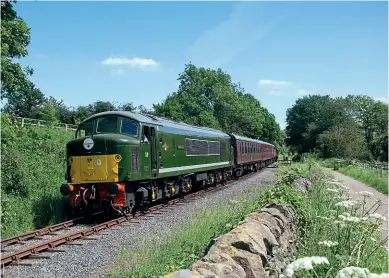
(367, 176)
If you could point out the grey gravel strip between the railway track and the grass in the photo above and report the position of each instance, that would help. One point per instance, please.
(95, 257)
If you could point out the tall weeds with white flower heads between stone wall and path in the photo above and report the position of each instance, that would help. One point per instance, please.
(341, 233)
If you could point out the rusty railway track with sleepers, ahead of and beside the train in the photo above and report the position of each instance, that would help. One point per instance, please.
(33, 251)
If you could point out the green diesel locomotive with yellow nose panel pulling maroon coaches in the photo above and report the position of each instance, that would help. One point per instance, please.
(120, 162)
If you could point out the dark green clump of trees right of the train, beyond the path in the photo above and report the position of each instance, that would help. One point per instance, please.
(354, 126)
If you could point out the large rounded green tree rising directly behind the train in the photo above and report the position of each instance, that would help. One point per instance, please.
(208, 97)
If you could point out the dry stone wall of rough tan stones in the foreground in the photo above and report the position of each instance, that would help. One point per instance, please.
(260, 246)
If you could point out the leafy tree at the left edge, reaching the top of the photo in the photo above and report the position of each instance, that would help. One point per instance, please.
(21, 94)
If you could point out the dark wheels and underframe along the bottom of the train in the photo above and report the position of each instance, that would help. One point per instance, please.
(139, 195)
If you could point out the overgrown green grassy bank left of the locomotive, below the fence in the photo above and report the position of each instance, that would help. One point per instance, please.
(32, 170)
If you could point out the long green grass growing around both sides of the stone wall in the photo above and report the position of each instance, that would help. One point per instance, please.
(359, 243)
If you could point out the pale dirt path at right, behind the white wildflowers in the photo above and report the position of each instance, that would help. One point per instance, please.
(357, 186)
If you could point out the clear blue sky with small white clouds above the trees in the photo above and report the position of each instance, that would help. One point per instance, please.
(279, 51)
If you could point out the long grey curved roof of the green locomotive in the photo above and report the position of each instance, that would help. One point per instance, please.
(163, 122)
